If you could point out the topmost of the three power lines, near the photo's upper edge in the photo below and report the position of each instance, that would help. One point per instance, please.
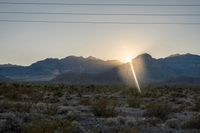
(95, 4)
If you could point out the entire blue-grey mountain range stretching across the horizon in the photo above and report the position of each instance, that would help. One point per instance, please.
(78, 70)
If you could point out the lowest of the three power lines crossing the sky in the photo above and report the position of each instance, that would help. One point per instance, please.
(100, 22)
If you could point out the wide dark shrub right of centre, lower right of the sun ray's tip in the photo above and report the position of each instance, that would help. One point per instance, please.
(160, 110)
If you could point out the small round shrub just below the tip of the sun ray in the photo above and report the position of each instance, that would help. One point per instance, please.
(134, 101)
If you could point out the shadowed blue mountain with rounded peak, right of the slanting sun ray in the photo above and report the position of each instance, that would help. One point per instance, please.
(151, 70)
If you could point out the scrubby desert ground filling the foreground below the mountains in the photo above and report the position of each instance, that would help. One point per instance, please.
(59, 108)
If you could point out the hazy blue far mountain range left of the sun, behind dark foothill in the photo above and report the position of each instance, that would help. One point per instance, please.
(49, 68)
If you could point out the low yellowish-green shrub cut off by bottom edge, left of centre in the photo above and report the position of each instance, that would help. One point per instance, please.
(39, 126)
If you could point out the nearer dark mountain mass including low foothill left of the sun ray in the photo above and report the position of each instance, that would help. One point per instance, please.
(173, 69)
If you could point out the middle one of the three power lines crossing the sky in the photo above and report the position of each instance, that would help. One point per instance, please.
(99, 14)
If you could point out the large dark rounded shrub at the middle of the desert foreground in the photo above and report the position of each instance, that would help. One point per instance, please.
(103, 108)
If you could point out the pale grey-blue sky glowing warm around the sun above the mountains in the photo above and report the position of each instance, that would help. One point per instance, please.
(25, 43)
